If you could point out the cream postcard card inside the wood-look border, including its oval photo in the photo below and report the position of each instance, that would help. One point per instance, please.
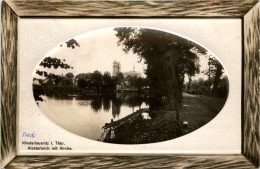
(129, 86)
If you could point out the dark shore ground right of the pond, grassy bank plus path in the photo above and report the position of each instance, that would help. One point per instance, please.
(197, 110)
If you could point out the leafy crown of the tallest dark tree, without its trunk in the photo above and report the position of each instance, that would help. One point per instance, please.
(154, 46)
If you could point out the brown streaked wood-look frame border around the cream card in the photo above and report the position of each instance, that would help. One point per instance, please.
(246, 10)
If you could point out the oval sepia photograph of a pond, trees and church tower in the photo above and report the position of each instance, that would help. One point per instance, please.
(130, 85)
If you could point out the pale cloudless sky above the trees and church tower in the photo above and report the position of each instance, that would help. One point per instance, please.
(98, 50)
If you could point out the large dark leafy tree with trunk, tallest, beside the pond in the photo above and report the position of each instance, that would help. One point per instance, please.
(168, 58)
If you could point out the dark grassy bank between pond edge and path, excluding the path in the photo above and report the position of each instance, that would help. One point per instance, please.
(163, 126)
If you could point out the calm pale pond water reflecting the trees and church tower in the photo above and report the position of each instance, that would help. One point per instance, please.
(85, 116)
